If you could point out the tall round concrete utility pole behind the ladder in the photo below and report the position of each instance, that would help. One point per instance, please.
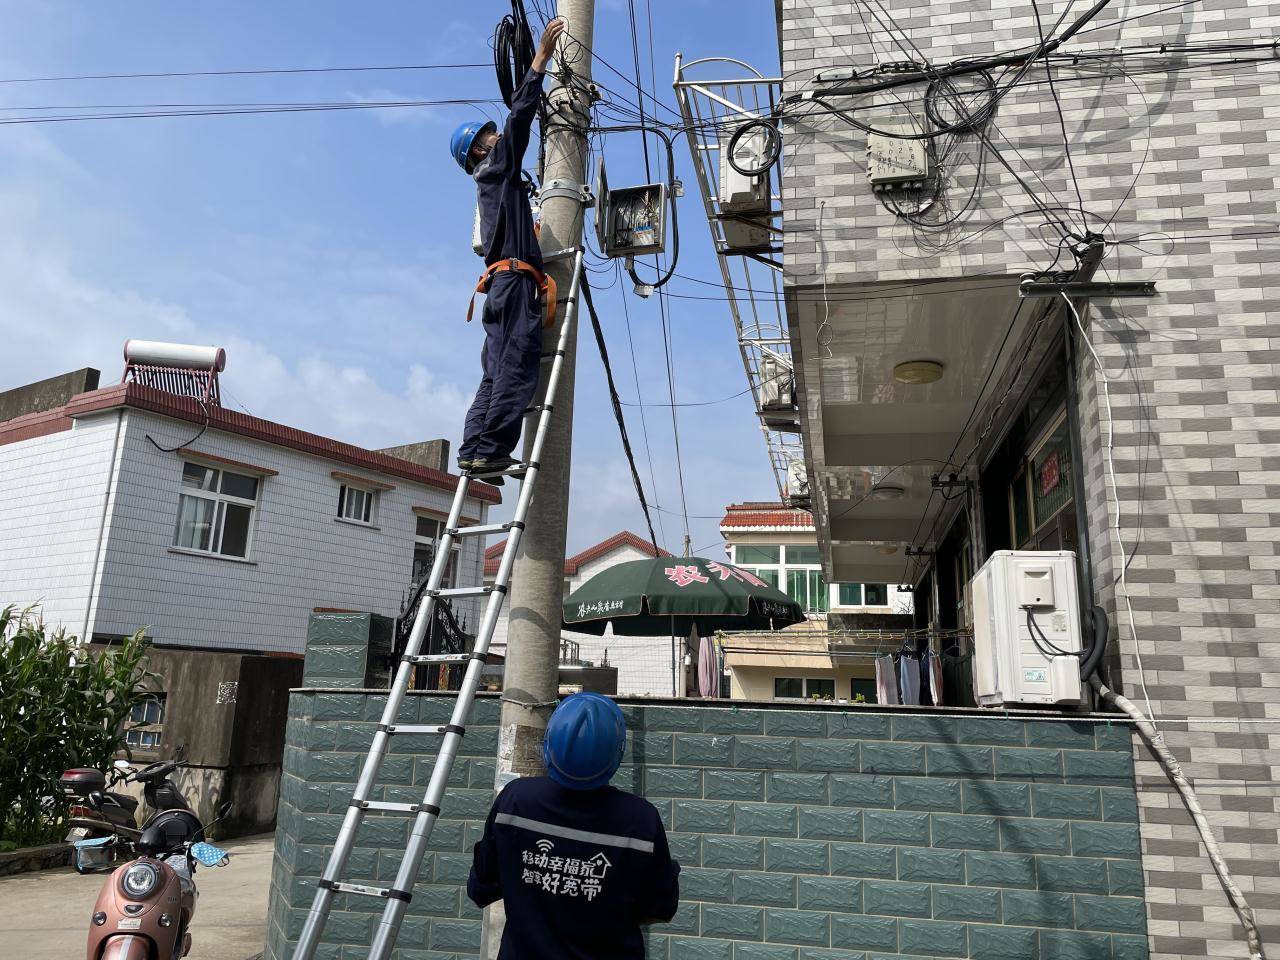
(538, 579)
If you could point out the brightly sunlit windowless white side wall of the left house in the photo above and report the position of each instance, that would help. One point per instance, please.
(54, 496)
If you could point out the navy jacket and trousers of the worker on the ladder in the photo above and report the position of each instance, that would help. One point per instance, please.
(513, 316)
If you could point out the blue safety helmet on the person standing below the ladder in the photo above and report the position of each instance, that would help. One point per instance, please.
(584, 744)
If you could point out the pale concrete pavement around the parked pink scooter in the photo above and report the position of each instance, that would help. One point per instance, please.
(45, 916)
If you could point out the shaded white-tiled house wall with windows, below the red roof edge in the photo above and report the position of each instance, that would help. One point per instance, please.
(301, 557)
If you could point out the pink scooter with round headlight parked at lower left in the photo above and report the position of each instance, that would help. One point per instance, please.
(147, 906)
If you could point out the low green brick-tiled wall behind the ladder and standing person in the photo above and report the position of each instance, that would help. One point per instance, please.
(803, 834)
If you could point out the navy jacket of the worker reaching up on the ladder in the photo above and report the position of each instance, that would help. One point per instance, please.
(506, 221)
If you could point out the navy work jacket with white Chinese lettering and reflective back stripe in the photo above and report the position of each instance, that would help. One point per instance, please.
(578, 871)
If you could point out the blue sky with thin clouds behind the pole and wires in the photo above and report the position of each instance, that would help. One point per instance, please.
(330, 253)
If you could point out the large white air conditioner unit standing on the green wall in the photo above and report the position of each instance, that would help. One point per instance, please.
(1012, 595)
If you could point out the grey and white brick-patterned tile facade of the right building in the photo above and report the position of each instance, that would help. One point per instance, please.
(1185, 157)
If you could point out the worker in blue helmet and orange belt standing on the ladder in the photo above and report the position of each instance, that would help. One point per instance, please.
(519, 292)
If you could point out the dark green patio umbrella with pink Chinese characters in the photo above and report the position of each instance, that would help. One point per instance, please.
(678, 596)
